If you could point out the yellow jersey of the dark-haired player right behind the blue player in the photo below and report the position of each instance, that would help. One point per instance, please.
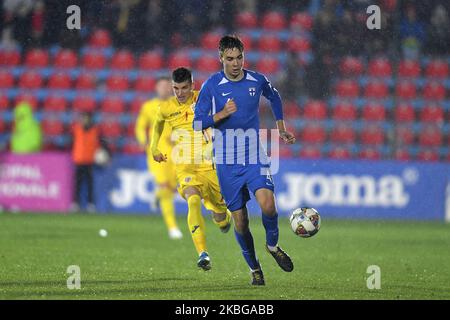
(191, 147)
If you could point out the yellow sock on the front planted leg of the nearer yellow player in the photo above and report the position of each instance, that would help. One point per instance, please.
(196, 223)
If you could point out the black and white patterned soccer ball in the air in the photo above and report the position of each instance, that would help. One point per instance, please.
(305, 222)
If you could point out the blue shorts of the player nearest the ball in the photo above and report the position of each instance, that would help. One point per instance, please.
(238, 180)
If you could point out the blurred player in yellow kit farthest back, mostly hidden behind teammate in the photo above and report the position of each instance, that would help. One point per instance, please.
(164, 173)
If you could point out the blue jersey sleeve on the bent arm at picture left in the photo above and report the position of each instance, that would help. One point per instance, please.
(203, 109)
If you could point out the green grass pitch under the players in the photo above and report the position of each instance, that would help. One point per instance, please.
(138, 261)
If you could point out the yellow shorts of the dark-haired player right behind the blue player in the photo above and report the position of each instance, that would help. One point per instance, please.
(207, 183)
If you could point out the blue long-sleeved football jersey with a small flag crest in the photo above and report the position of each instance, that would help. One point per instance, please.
(236, 138)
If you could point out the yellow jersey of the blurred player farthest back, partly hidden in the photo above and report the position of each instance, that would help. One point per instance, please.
(144, 123)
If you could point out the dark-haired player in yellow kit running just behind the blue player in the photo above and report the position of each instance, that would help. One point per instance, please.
(192, 155)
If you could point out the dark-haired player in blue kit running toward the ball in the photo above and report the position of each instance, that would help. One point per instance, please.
(229, 102)
